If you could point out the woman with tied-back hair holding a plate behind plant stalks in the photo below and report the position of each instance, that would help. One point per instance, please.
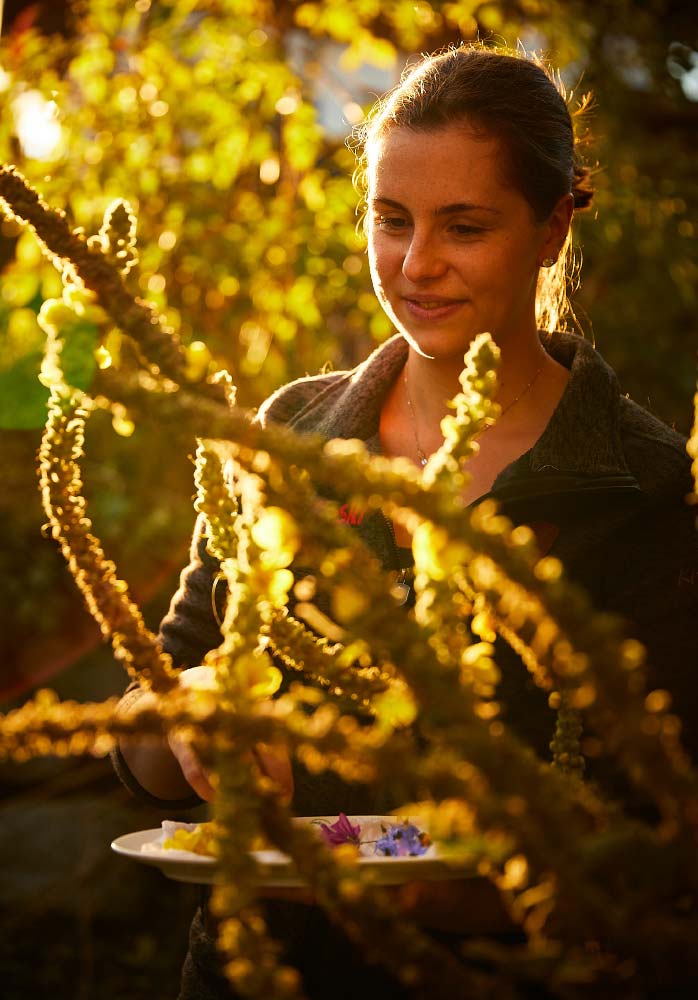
(471, 182)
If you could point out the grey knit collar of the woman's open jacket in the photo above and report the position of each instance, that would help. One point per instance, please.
(583, 435)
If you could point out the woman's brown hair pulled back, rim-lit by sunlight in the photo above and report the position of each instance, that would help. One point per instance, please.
(515, 98)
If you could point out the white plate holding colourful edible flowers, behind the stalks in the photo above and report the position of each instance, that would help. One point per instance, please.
(276, 870)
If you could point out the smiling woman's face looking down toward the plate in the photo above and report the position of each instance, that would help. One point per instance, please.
(454, 250)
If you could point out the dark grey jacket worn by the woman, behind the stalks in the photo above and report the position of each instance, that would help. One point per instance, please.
(604, 489)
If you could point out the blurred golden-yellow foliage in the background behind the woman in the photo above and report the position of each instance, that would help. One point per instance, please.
(211, 118)
